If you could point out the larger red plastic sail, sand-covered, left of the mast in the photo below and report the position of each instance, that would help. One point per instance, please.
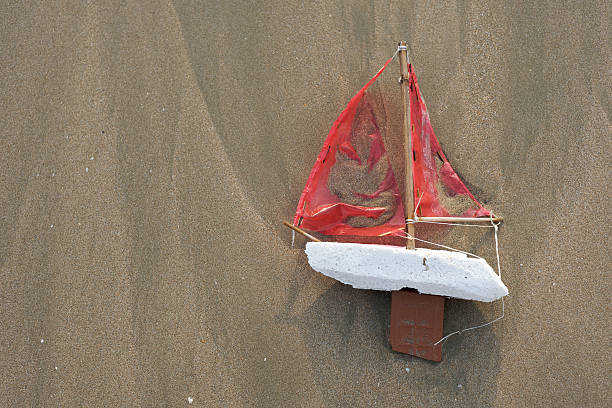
(352, 189)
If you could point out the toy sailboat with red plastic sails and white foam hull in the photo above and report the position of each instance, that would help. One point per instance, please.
(352, 195)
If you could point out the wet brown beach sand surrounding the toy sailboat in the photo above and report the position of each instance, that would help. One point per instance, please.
(150, 150)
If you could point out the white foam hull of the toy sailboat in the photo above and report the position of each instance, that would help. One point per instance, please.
(386, 267)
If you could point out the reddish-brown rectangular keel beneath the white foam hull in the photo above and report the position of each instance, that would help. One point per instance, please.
(416, 324)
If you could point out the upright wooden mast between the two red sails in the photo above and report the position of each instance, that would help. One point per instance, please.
(409, 190)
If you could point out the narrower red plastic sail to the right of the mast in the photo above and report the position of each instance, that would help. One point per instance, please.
(438, 191)
